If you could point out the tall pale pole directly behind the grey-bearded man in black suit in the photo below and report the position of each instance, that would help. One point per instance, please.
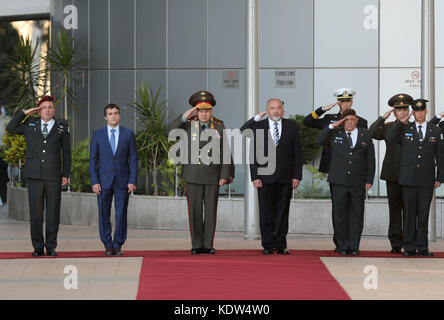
(251, 226)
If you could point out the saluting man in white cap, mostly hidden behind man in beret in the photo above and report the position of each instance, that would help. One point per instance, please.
(344, 99)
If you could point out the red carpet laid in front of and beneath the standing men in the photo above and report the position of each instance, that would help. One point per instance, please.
(231, 274)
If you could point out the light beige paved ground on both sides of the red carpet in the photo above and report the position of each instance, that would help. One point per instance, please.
(118, 278)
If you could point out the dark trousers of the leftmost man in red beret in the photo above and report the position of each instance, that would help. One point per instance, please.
(41, 194)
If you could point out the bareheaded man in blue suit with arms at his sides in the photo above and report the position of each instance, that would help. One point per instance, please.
(113, 170)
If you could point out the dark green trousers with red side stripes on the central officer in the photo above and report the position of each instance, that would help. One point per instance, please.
(202, 226)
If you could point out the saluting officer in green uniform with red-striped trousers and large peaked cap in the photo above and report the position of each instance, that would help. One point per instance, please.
(203, 176)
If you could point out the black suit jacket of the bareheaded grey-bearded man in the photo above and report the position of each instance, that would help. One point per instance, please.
(288, 152)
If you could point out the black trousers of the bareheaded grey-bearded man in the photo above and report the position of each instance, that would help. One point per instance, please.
(274, 206)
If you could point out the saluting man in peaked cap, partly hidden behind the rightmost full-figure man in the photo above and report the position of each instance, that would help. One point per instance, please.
(390, 168)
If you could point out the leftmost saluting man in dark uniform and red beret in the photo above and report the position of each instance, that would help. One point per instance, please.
(47, 167)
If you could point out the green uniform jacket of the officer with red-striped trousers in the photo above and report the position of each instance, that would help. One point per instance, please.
(202, 173)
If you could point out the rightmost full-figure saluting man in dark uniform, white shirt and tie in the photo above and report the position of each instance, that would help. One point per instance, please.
(421, 144)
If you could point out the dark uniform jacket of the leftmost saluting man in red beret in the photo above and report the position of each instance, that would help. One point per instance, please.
(49, 158)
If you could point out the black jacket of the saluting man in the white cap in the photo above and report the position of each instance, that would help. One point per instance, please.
(312, 121)
